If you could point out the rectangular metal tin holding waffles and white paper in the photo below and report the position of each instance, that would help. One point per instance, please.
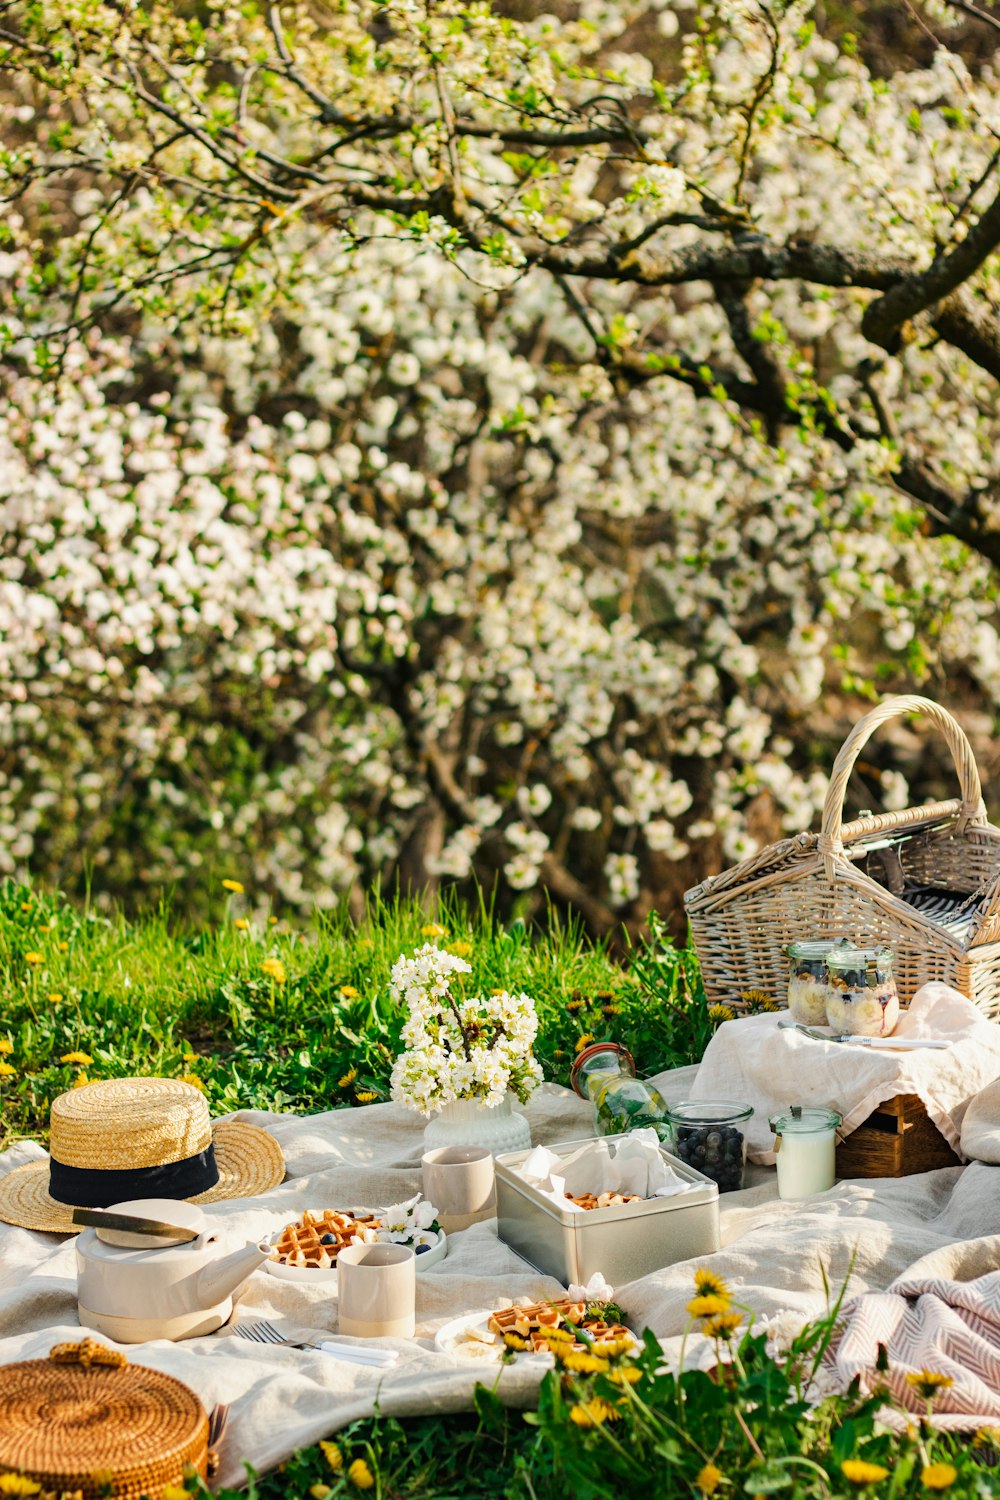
(621, 1243)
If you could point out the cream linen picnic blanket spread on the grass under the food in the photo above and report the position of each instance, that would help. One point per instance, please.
(776, 1256)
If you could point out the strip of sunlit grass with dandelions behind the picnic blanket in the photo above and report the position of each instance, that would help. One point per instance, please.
(157, 997)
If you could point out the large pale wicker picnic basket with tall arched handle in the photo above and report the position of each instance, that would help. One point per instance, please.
(926, 883)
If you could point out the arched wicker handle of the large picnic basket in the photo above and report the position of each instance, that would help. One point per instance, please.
(971, 809)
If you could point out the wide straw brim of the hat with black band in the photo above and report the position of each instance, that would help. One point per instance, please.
(250, 1162)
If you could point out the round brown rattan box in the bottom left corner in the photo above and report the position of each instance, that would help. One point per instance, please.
(86, 1421)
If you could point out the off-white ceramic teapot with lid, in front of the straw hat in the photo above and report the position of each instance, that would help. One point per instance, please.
(134, 1288)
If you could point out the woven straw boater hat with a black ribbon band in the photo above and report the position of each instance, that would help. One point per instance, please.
(106, 1136)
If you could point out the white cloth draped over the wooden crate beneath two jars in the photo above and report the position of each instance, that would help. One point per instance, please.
(755, 1063)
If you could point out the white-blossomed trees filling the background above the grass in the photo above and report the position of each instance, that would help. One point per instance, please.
(440, 443)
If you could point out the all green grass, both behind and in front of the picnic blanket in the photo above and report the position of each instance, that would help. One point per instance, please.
(322, 1030)
